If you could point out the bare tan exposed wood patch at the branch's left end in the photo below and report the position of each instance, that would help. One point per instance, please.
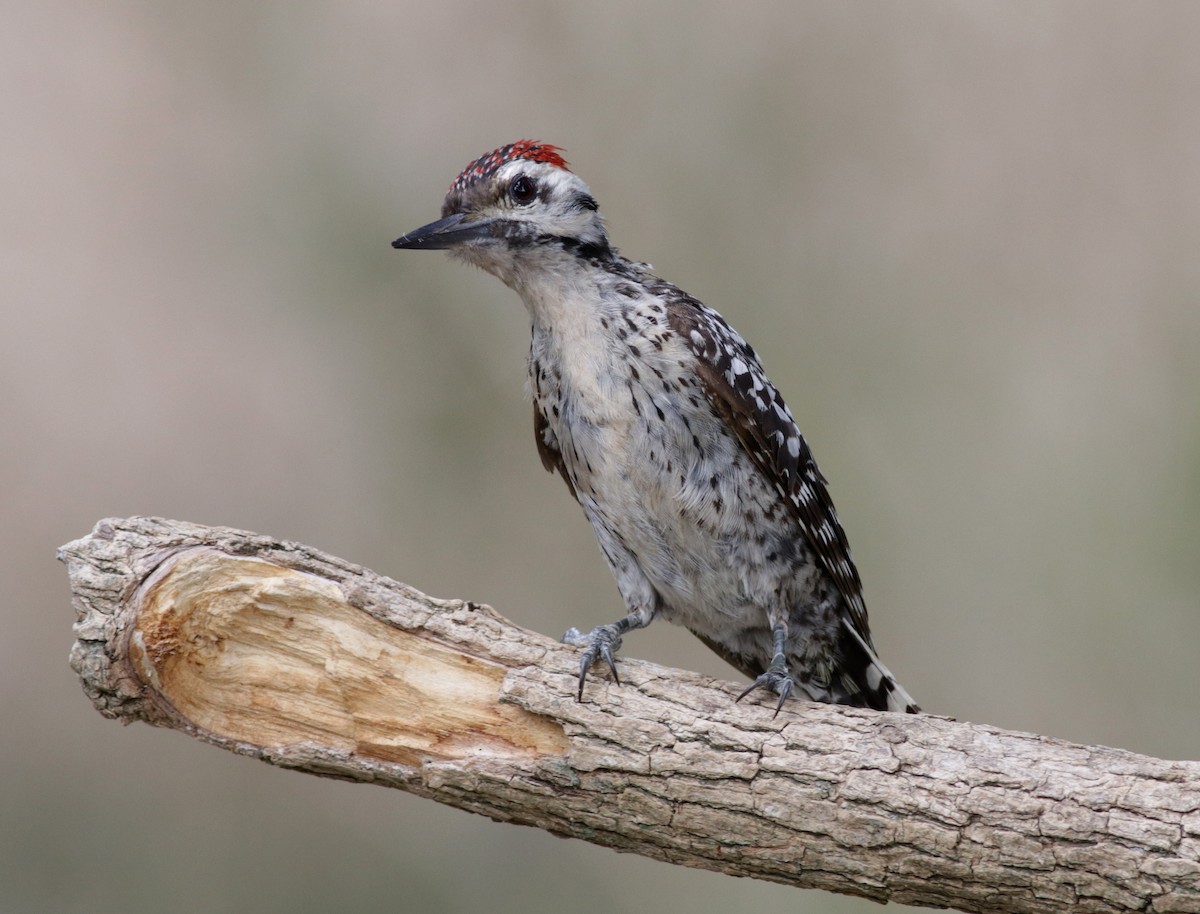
(272, 657)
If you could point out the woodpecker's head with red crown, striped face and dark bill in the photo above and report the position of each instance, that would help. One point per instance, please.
(513, 211)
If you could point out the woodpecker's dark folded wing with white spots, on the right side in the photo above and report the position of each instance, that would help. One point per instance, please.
(740, 392)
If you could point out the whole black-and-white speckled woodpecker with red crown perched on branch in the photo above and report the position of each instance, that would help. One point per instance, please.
(706, 500)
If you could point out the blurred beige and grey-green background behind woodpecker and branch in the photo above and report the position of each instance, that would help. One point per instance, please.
(964, 238)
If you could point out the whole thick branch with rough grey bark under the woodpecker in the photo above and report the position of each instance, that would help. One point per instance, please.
(275, 651)
